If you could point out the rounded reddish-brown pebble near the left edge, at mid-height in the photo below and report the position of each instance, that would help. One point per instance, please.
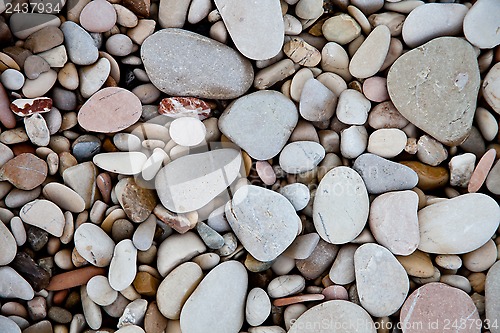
(25, 171)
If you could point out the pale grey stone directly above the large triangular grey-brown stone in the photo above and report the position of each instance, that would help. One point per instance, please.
(433, 20)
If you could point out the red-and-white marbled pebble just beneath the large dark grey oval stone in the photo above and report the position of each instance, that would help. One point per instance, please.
(176, 107)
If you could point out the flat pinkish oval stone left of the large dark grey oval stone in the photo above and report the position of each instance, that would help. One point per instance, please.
(95, 115)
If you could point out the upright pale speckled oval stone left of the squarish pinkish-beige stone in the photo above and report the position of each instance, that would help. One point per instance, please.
(340, 208)
